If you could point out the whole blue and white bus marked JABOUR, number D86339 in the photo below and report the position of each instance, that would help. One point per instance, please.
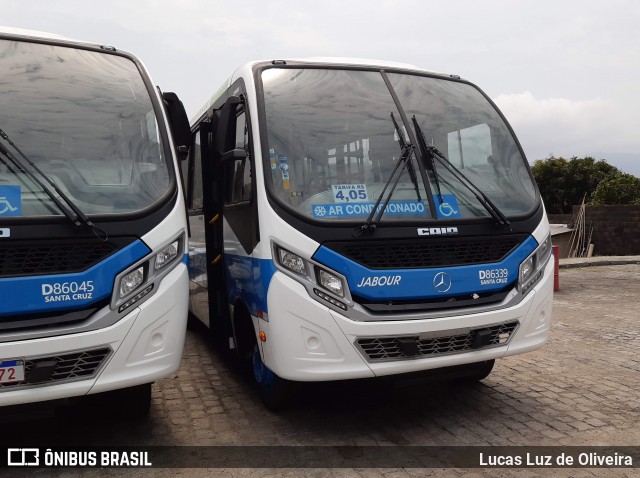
(354, 219)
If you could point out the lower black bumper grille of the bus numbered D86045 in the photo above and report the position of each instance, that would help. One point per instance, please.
(60, 368)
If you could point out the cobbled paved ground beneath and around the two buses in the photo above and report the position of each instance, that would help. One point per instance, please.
(583, 388)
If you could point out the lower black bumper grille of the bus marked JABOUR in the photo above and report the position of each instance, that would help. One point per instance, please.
(388, 348)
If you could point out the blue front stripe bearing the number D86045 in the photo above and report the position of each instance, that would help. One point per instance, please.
(62, 292)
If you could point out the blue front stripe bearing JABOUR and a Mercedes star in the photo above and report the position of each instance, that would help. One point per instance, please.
(409, 284)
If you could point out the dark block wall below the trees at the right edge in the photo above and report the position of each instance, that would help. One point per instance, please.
(616, 229)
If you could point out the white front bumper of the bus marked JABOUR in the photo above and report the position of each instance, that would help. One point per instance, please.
(306, 341)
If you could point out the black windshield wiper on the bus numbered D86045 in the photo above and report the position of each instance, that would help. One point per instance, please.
(68, 208)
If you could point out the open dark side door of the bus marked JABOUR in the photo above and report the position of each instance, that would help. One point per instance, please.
(227, 200)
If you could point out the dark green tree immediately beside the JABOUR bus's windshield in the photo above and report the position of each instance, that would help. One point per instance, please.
(564, 183)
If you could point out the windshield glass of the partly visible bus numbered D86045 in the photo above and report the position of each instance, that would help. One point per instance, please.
(86, 120)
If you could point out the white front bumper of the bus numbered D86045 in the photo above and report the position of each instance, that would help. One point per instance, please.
(146, 345)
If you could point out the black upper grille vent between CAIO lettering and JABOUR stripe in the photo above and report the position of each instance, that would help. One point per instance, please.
(427, 253)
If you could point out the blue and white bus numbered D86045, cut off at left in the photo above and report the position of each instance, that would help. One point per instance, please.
(93, 275)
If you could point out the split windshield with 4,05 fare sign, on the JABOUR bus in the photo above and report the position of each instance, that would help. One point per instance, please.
(332, 146)
